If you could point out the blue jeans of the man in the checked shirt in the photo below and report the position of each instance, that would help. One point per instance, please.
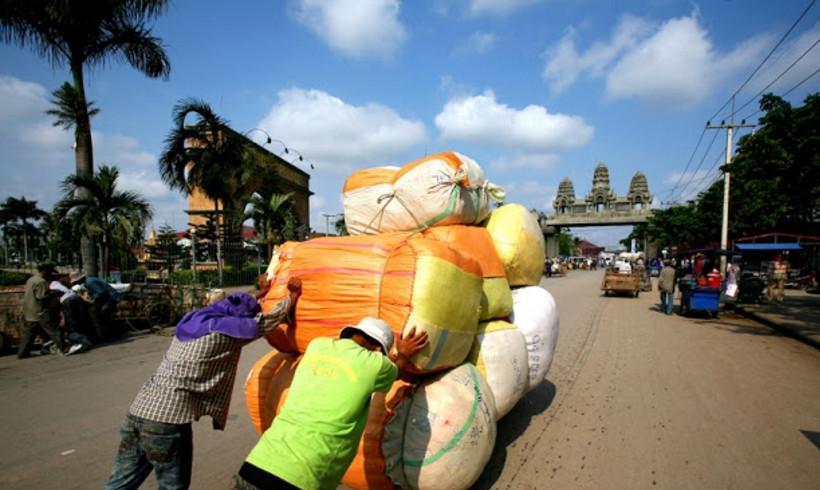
(146, 445)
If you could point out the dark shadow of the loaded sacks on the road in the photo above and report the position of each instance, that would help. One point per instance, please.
(510, 429)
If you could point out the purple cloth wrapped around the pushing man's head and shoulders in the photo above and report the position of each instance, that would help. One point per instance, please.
(233, 316)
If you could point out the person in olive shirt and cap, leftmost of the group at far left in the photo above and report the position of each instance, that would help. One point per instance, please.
(39, 312)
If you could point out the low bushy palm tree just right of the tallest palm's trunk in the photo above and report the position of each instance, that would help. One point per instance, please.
(102, 210)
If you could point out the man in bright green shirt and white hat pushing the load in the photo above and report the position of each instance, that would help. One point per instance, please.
(314, 438)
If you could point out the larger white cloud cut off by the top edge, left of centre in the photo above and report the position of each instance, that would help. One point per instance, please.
(357, 28)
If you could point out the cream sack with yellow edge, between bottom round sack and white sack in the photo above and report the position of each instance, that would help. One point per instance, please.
(500, 354)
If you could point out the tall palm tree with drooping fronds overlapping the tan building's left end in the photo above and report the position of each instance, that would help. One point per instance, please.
(210, 156)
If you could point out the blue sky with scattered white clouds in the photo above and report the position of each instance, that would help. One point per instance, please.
(534, 90)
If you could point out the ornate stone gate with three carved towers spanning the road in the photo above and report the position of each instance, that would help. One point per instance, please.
(600, 207)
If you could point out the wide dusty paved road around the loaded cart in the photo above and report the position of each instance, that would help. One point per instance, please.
(634, 399)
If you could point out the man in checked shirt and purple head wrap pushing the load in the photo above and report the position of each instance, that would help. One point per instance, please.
(195, 378)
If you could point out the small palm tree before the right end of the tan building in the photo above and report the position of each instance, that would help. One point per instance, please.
(273, 218)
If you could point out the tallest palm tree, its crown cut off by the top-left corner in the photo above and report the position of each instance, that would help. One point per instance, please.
(87, 33)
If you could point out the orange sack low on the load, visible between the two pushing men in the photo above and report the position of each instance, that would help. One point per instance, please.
(266, 387)
